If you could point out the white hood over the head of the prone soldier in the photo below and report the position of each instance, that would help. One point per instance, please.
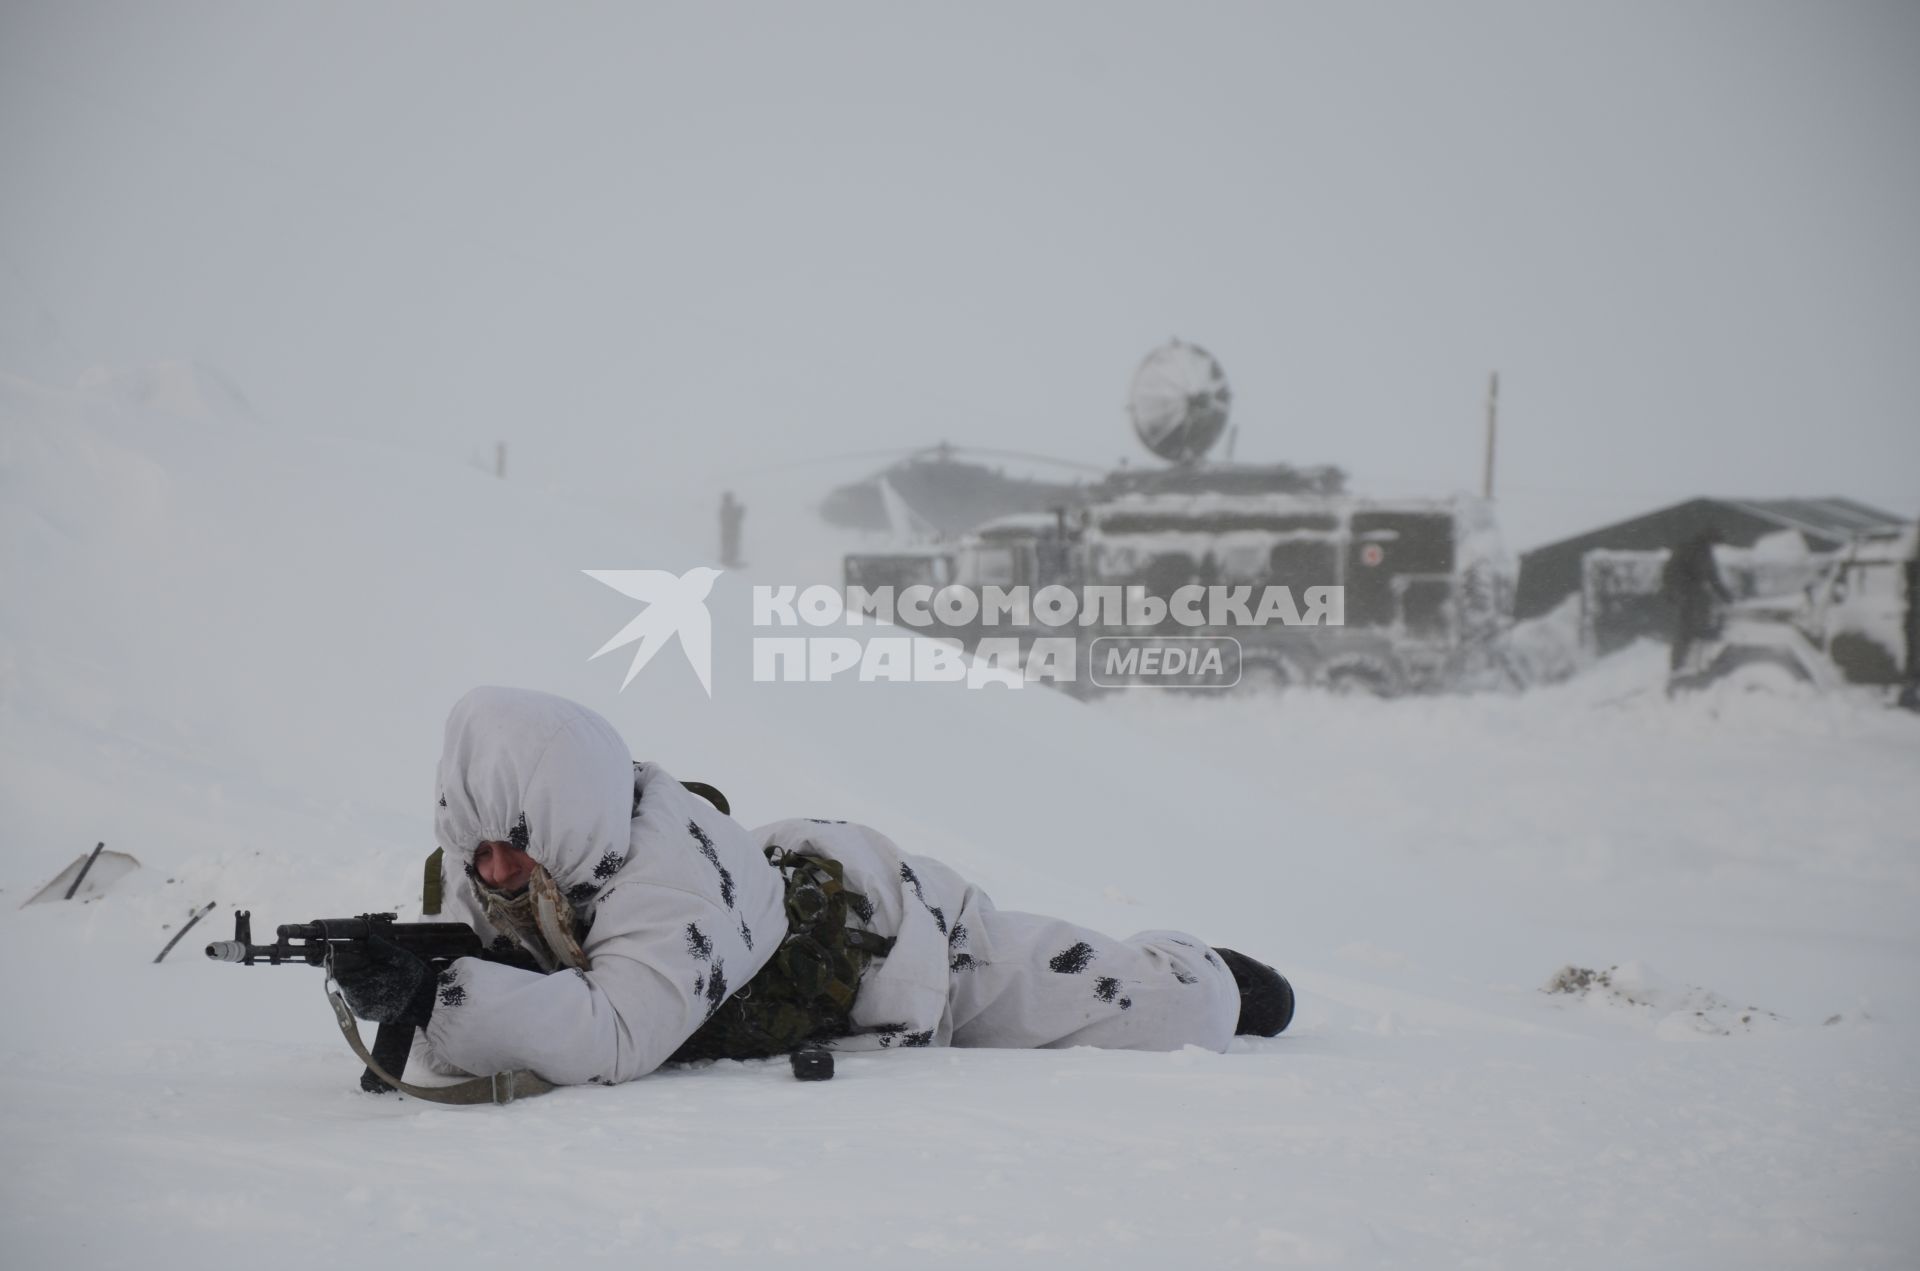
(544, 775)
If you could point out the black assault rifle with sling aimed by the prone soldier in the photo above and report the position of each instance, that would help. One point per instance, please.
(343, 944)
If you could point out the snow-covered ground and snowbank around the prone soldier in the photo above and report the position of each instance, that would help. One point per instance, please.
(228, 652)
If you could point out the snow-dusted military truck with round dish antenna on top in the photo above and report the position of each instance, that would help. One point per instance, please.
(1428, 583)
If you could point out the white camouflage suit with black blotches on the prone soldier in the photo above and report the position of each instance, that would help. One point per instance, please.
(684, 909)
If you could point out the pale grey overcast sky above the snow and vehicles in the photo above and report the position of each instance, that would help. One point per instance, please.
(642, 241)
